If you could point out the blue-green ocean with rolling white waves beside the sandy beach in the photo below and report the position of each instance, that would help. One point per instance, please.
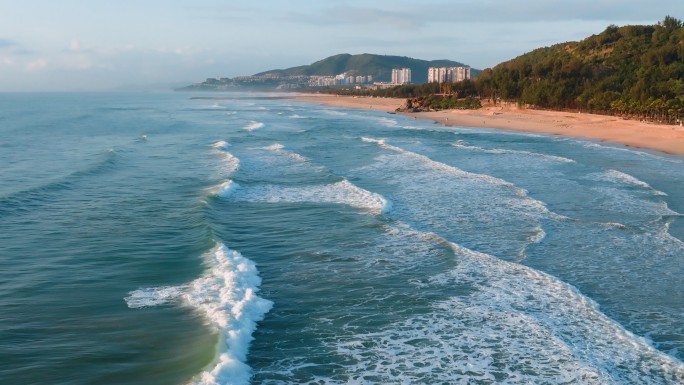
(157, 238)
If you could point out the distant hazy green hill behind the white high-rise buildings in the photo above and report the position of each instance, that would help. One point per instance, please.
(379, 66)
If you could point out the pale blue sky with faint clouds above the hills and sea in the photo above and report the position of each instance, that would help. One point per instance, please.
(99, 45)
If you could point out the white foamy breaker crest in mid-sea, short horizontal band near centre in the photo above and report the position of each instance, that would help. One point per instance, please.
(342, 192)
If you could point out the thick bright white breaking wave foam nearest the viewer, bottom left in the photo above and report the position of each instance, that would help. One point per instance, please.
(226, 295)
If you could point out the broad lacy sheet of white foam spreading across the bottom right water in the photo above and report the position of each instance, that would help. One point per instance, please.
(514, 325)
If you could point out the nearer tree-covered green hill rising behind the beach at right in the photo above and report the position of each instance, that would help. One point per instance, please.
(634, 71)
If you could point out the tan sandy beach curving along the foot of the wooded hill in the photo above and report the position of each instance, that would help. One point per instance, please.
(665, 138)
